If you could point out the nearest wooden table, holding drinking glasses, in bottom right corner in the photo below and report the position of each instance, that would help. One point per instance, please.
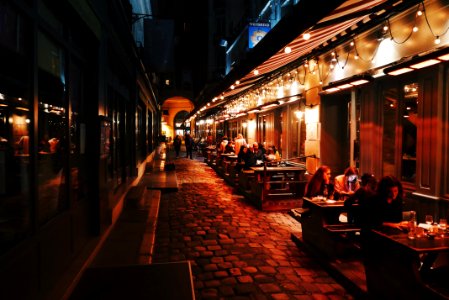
(397, 267)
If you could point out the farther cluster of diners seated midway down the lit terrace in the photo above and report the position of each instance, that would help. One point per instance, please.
(248, 154)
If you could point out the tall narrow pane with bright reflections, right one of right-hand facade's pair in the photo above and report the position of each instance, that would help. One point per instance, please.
(409, 117)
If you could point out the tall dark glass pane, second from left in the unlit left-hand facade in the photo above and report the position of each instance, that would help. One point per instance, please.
(52, 128)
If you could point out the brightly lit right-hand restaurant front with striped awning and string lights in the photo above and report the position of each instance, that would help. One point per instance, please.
(366, 86)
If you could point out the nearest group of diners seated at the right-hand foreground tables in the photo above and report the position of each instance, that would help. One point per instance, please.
(369, 202)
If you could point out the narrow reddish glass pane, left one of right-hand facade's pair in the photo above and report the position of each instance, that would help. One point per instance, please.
(390, 107)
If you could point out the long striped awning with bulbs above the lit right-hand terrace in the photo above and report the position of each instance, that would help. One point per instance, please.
(341, 25)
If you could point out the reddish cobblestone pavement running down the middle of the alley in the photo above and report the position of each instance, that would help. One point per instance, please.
(237, 251)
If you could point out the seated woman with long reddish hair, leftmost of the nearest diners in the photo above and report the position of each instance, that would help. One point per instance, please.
(320, 184)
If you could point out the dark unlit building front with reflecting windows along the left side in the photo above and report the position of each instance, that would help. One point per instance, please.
(78, 121)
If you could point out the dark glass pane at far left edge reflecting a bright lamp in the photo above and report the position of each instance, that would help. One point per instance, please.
(14, 170)
